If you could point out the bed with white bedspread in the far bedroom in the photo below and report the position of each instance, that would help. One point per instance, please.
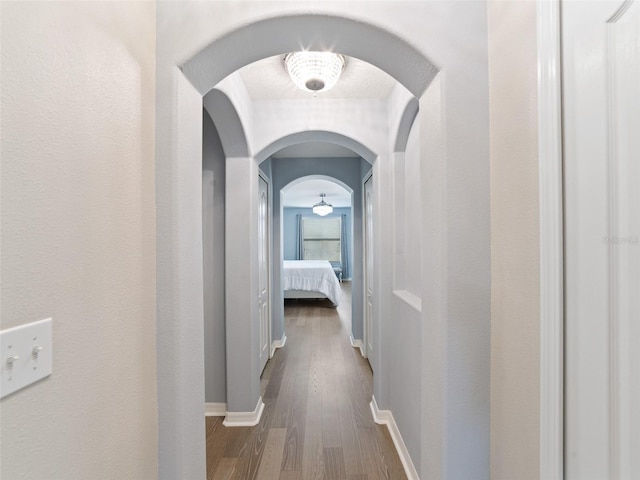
(311, 279)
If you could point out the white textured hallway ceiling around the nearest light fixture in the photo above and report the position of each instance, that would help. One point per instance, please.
(267, 79)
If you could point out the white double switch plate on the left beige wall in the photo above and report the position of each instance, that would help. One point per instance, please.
(25, 355)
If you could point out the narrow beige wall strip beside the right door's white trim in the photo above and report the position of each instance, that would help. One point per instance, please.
(515, 296)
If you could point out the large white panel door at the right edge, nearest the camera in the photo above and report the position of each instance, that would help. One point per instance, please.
(601, 83)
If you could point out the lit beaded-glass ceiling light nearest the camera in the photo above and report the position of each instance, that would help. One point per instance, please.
(314, 71)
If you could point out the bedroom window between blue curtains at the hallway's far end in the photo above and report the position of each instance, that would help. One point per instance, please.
(321, 238)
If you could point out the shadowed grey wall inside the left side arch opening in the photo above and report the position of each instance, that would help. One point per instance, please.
(213, 185)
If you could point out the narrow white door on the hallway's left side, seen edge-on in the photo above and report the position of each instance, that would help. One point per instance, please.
(263, 267)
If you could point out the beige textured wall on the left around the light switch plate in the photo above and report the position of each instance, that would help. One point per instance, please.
(78, 236)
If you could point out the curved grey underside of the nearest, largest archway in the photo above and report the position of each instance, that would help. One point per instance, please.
(310, 32)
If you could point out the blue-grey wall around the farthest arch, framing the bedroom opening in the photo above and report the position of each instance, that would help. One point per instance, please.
(348, 171)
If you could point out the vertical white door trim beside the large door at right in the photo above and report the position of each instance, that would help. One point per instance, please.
(551, 240)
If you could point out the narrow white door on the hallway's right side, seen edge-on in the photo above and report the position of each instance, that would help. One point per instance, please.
(368, 270)
